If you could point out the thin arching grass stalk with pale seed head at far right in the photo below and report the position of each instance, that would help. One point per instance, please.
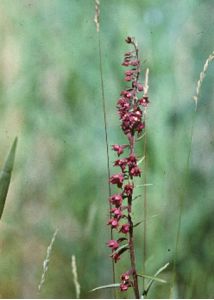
(182, 197)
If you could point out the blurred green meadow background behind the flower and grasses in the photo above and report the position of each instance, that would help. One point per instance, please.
(50, 98)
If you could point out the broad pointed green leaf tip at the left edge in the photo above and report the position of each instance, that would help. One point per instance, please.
(5, 175)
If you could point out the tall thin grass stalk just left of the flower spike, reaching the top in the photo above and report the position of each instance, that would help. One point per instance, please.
(97, 22)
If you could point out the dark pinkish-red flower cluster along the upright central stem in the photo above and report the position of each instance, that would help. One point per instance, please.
(130, 106)
